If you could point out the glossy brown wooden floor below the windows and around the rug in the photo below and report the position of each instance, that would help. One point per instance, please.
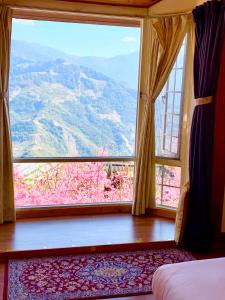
(67, 235)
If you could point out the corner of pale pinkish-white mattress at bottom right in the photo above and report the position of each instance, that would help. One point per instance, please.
(193, 280)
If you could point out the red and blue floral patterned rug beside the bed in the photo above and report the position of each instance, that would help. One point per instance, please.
(87, 276)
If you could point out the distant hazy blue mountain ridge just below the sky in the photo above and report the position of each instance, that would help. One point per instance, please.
(122, 68)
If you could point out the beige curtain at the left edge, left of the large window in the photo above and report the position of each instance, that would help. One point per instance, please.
(7, 211)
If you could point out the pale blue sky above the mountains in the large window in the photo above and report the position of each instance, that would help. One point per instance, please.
(79, 39)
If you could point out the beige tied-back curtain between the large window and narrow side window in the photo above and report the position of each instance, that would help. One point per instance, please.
(166, 35)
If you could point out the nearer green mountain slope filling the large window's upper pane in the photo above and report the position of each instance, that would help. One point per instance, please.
(58, 108)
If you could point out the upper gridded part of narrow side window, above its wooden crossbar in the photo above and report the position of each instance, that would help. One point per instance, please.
(168, 111)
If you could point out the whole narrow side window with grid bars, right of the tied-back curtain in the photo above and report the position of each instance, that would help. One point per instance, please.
(168, 138)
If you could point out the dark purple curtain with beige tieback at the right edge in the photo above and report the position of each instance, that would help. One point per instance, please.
(210, 27)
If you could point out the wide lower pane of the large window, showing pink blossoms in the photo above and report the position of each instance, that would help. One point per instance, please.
(46, 184)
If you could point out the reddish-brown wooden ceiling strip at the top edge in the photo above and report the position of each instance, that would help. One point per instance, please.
(131, 3)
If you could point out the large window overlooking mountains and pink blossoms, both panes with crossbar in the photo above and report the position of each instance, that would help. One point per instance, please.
(73, 107)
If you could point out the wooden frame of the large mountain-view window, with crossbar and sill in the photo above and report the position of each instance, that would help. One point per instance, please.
(86, 208)
